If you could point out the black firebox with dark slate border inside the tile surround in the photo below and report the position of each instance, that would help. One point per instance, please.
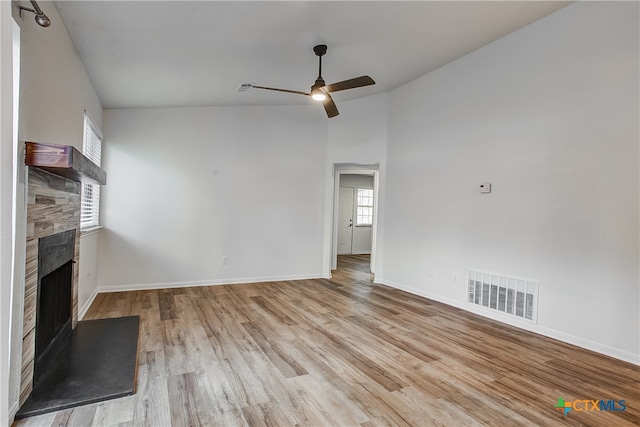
(55, 279)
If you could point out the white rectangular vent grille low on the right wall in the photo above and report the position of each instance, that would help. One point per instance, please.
(511, 295)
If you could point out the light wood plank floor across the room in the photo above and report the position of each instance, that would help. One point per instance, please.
(343, 352)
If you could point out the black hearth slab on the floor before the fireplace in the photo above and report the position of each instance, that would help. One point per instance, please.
(100, 363)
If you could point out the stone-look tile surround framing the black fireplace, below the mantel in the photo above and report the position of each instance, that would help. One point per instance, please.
(53, 206)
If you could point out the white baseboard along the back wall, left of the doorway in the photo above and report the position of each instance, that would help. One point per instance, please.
(215, 282)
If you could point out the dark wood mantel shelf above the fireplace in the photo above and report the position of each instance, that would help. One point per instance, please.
(64, 160)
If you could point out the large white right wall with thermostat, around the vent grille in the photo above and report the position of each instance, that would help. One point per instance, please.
(549, 116)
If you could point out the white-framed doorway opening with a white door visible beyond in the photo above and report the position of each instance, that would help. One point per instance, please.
(355, 212)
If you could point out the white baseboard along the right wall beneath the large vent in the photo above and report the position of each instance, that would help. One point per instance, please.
(531, 327)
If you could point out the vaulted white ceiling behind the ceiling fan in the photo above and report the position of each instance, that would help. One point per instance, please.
(196, 53)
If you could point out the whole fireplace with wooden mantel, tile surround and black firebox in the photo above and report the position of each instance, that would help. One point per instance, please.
(55, 173)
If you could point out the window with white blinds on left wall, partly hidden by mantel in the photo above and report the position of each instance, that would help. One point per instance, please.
(90, 204)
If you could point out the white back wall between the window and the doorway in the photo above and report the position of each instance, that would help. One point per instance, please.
(188, 186)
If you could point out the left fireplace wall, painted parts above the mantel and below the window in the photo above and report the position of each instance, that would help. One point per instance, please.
(55, 93)
